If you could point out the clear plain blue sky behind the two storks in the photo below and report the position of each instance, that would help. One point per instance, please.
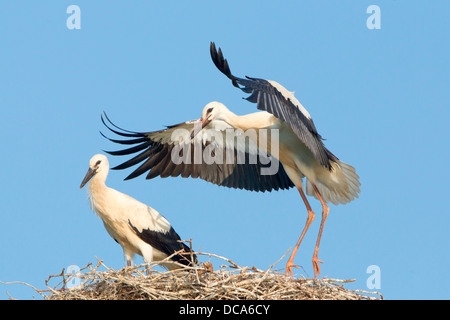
(379, 97)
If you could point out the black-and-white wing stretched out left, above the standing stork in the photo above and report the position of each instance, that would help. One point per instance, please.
(172, 153)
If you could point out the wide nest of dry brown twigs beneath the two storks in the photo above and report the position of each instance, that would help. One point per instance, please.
(230, 282)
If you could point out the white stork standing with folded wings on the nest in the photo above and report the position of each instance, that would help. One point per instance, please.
(138, 228)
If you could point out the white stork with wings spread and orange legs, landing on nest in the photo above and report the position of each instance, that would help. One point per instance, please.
(301, 151)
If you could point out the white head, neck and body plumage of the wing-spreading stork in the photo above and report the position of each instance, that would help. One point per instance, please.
(337, 185)
